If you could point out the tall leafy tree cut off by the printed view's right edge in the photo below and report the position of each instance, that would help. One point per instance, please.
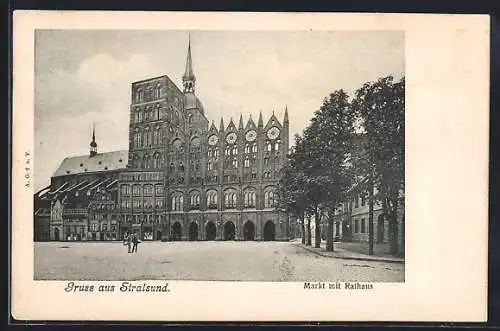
(381, 108)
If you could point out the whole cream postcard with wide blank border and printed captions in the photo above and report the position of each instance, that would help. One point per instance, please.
(249, 166)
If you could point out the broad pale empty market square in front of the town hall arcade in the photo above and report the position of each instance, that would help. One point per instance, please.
(202, 260)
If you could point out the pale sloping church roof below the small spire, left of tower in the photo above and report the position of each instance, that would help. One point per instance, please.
(100, 162)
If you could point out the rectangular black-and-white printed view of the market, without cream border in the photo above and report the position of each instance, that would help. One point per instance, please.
(219, 155)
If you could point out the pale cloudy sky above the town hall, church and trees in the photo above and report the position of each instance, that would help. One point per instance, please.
(85, 76)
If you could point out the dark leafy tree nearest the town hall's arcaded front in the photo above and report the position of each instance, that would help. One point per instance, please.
(322, 155)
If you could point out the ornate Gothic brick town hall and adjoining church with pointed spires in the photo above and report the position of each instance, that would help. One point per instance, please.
(181, 178)
